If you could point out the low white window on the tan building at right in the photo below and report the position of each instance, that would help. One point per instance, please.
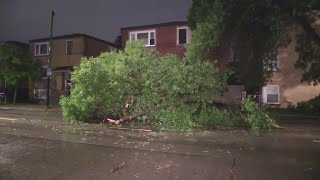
(271, 94)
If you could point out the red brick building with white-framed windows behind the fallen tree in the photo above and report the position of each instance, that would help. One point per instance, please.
(172, 38)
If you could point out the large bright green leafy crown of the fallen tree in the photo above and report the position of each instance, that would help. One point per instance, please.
(117, 84)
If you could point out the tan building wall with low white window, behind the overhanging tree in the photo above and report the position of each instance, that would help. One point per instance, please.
(284, 87)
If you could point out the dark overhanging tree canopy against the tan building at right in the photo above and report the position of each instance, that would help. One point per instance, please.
(257, 28)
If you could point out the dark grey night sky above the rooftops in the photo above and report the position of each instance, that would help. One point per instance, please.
(22, 20)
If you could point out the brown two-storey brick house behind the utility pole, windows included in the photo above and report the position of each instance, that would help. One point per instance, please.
(67, 53)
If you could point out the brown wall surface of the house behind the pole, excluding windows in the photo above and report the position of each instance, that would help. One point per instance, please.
(82, 46)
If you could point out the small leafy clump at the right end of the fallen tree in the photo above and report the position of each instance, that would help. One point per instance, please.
(256, 118)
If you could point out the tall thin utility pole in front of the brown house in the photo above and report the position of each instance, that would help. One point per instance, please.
(49, 72)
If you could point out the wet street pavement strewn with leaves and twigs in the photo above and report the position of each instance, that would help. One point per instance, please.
(35, 144)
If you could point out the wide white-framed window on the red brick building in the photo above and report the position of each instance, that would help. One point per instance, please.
(148, 37)
